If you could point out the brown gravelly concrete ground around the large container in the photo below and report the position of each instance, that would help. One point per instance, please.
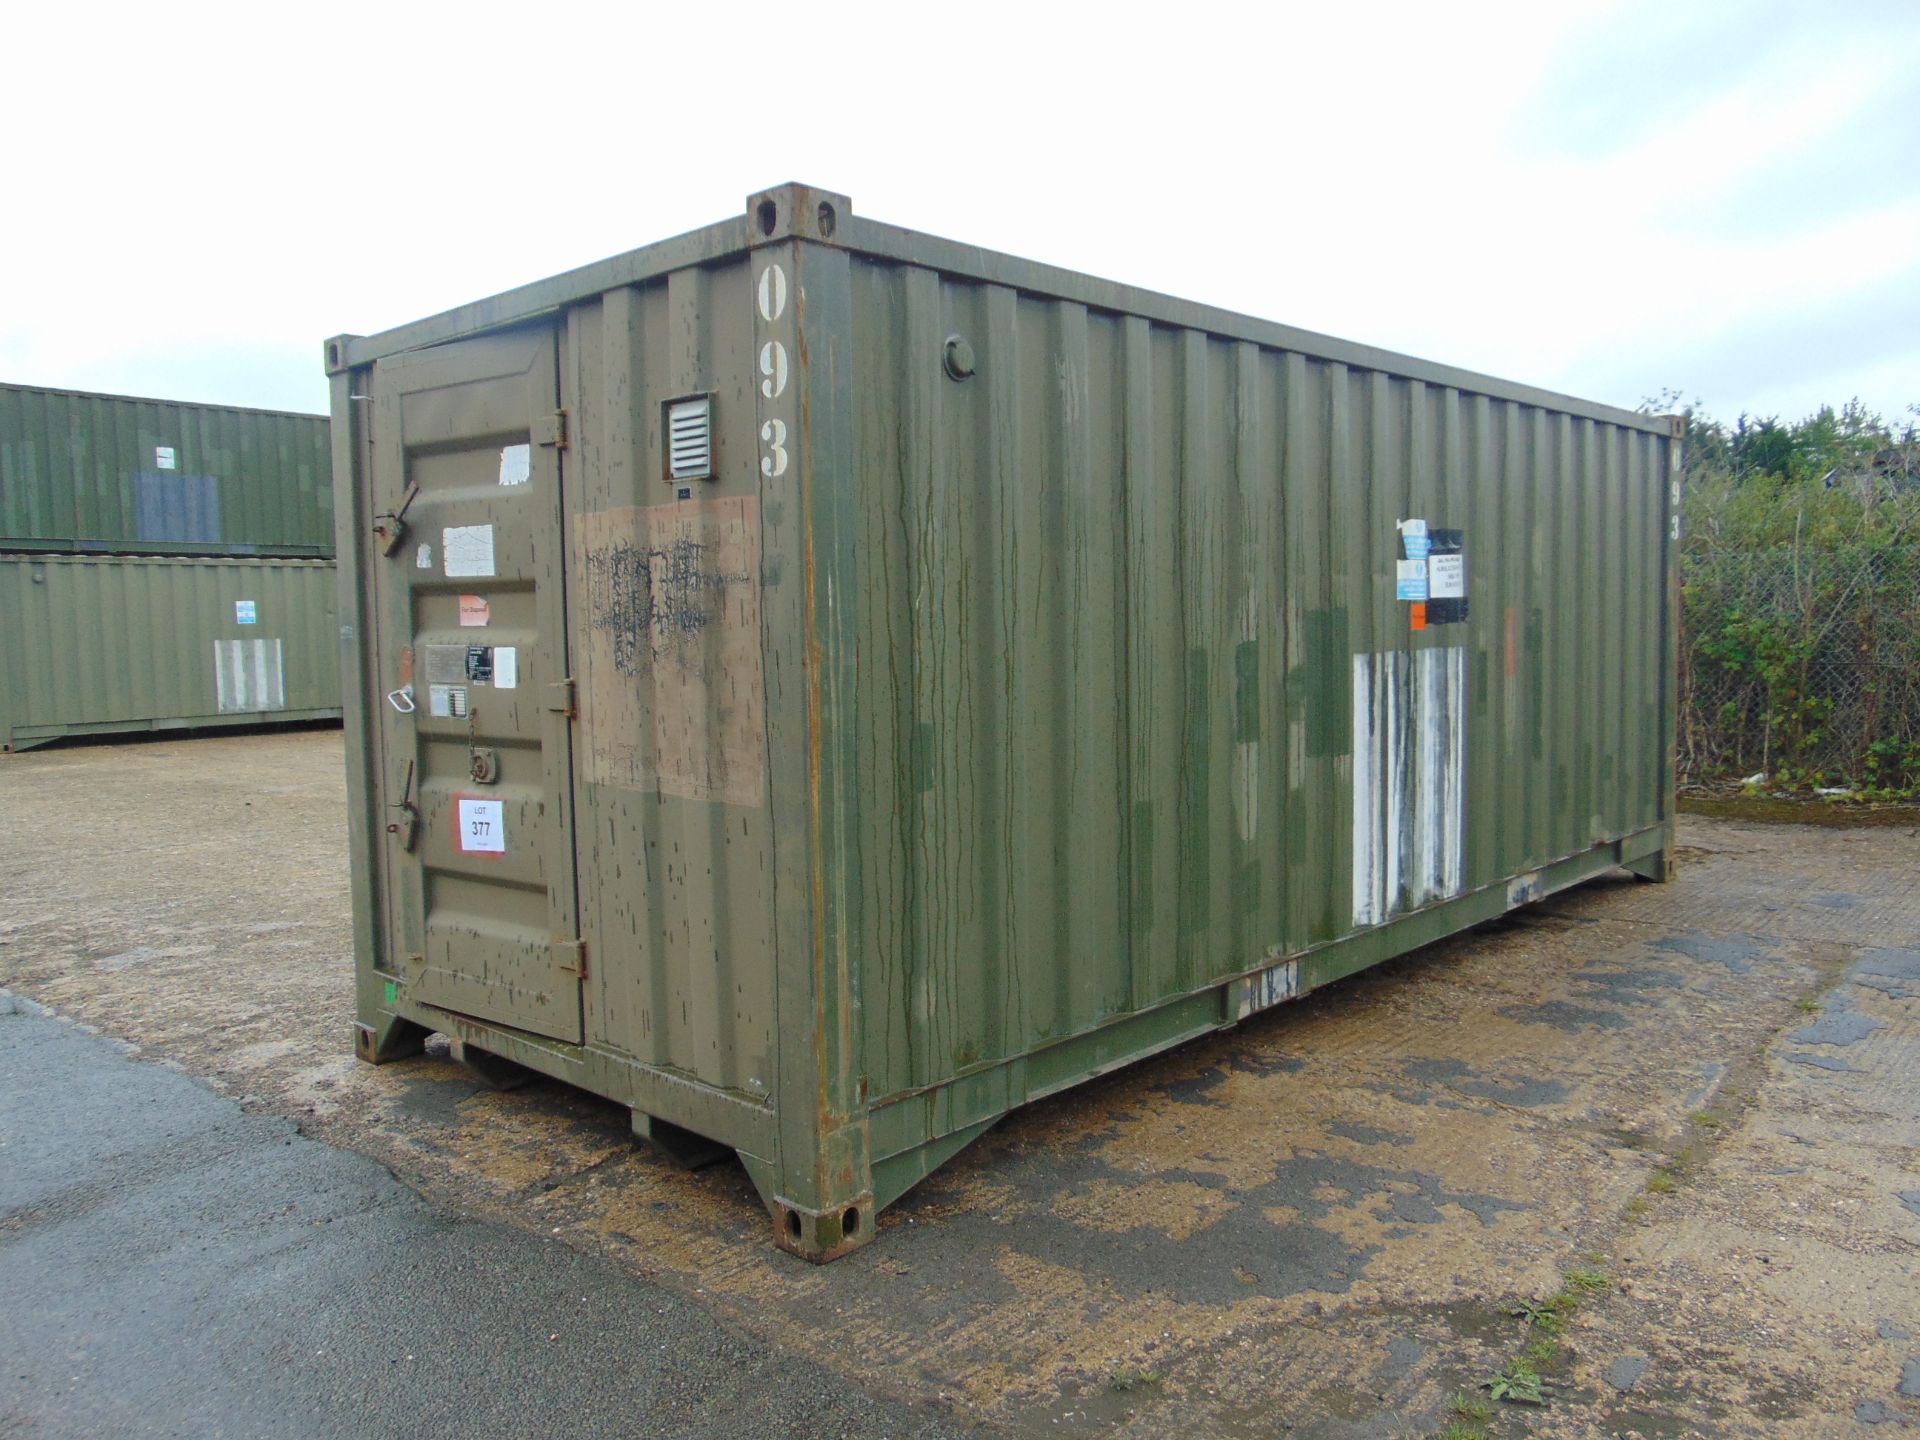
(1683, 1120)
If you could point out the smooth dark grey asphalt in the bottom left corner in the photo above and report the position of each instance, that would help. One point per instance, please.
(235, 1278)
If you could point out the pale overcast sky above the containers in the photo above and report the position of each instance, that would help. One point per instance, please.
(1595, 197)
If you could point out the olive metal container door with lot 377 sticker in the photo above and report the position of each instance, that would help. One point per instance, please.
(473, 650)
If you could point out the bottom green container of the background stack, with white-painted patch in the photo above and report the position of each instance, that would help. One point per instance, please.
(99, 644)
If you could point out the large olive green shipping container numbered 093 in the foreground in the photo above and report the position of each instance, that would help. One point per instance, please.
(827, 686)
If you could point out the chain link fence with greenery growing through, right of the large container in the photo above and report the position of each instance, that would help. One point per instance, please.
(1800, 656)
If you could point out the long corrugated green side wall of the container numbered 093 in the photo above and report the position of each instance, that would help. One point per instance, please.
(1138, 706)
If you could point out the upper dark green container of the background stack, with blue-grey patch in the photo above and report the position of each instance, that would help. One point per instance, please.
(155, 477)
